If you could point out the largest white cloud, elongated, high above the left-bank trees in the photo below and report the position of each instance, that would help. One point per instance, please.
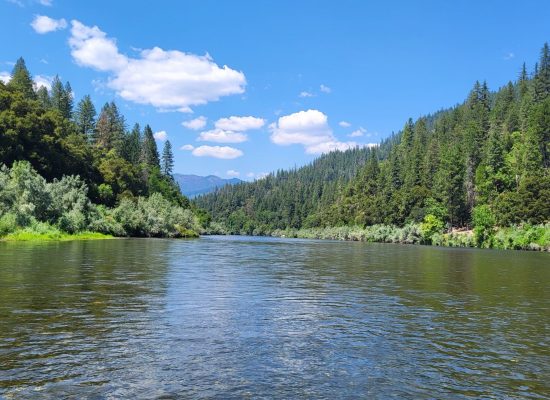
(168, 80)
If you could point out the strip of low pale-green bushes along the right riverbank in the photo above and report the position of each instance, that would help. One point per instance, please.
(520, 237)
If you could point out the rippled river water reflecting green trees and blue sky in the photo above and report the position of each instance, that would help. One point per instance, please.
(229, 317)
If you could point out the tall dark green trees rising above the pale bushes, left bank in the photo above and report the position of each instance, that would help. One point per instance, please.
(45, 128)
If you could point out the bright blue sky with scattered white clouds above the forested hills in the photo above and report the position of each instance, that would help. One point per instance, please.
(310, 76)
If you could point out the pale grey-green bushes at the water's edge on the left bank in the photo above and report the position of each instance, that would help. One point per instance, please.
(33, 209)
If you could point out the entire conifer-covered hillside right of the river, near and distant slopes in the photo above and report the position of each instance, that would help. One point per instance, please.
(482, 164)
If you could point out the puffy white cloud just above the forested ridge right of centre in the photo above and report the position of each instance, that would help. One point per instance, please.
(309, 128)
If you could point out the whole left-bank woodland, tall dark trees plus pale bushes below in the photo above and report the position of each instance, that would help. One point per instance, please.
(67, 168)
